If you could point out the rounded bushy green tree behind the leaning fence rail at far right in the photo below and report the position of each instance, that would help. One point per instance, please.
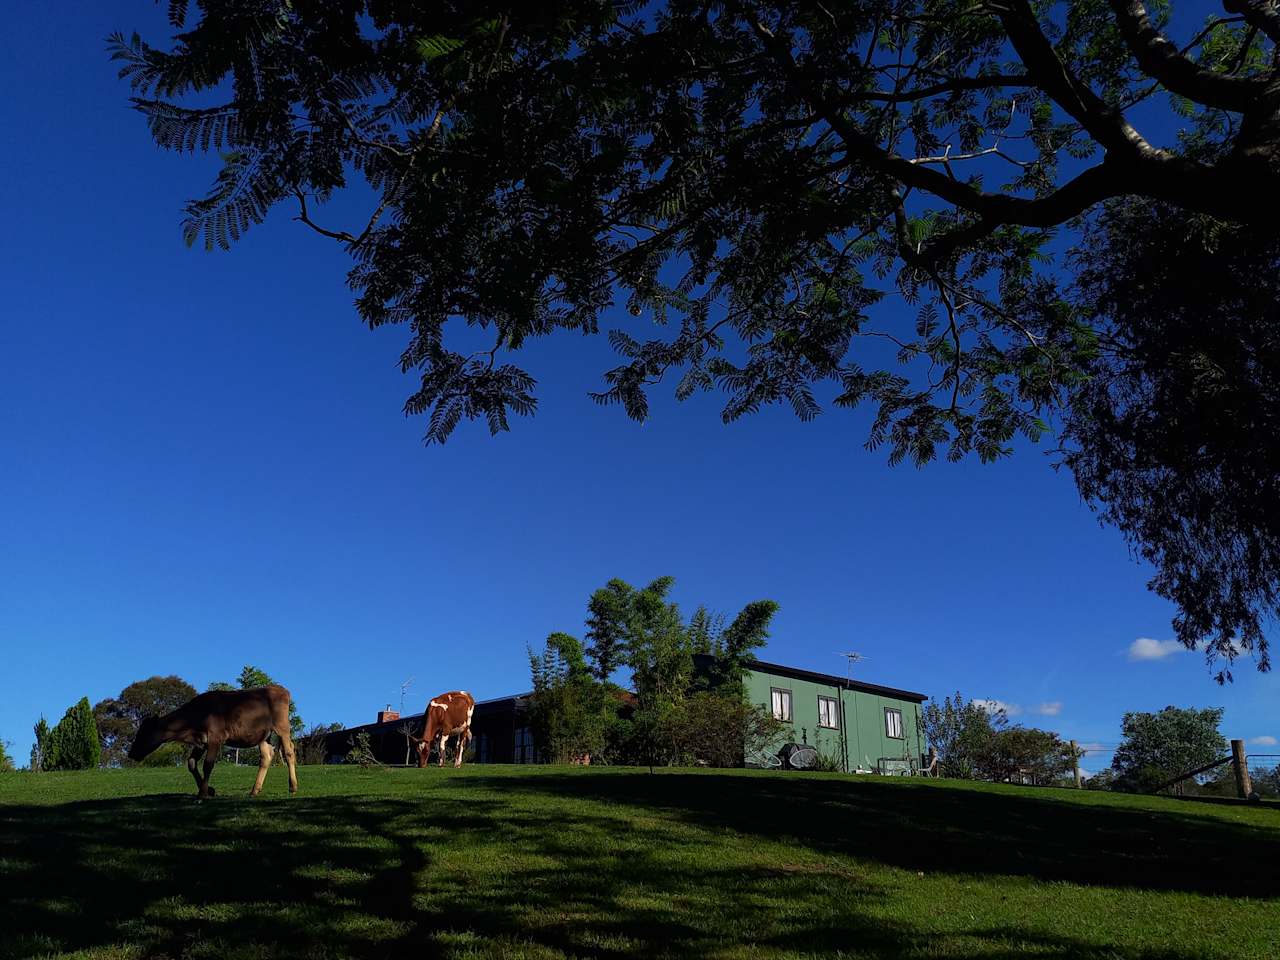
(1158, 747)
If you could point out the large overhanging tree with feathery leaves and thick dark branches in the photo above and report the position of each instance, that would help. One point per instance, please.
(755, 179)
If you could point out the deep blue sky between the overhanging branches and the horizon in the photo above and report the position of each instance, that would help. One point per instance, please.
(205, 465)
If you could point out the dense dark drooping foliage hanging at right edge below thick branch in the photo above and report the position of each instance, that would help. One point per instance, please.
(1178, 431)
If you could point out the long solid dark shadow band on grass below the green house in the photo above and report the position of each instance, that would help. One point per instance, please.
(921, 828)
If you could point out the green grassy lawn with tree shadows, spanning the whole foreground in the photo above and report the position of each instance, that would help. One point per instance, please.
(547, 862)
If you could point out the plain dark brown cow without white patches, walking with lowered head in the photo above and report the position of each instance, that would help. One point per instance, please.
(223, 719)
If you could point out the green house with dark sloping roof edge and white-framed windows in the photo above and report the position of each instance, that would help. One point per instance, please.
(866, 728)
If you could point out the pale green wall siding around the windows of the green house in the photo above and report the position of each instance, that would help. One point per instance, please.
(866, 740)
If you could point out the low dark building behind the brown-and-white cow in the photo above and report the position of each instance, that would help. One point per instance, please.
(500, 734)
